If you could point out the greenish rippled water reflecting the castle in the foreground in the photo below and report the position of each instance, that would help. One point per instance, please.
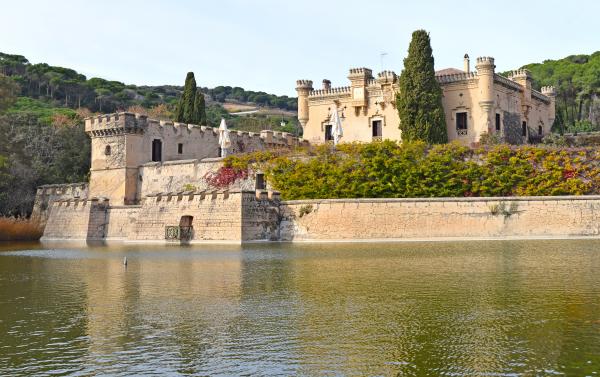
(501, 308)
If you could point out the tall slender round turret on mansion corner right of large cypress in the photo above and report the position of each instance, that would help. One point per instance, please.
(485, 71)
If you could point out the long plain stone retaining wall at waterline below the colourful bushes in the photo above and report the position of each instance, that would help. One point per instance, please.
(458, 218)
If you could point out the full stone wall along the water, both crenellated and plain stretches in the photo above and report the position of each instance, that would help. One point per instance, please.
(244, 216)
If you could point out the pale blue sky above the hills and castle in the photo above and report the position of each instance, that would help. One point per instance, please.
(266, 44)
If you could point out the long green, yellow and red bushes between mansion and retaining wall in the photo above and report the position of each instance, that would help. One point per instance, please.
(392, 170)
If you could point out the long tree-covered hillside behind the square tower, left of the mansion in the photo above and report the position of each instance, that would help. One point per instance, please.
(68, 88)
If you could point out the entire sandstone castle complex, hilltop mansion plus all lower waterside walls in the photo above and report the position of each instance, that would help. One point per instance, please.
(148, 178)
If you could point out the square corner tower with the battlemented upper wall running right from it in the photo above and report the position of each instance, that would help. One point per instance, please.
(125, 145)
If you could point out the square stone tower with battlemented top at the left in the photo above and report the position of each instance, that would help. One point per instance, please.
(116, 145)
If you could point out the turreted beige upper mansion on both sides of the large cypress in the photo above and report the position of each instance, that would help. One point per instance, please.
(475, 103)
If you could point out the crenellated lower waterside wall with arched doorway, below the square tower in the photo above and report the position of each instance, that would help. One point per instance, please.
(225, 216)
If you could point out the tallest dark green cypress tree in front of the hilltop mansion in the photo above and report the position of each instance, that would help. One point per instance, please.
(419, 100)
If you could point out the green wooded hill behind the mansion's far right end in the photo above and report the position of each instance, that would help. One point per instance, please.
(577, 80)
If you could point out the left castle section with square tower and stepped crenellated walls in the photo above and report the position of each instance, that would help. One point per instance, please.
(148, 182)
